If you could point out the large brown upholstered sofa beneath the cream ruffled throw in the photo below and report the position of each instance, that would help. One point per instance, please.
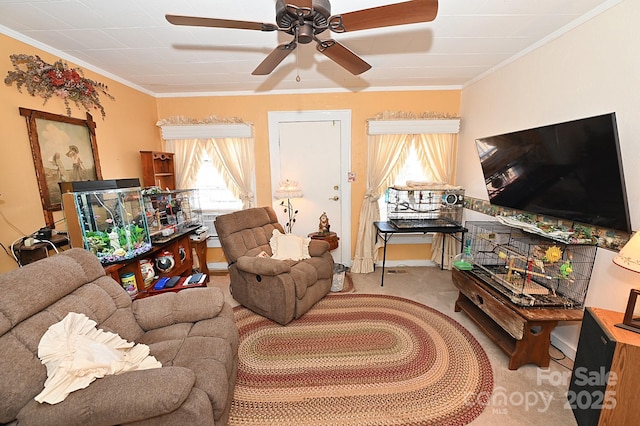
(192, 333)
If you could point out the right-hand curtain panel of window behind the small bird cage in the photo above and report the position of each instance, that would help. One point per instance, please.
(436, 152)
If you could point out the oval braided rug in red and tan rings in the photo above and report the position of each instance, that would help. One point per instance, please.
(358, 359)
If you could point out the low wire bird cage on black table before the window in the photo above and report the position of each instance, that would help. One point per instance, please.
(425, 204)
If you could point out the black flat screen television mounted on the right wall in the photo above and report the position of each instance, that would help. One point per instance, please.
(570, 170)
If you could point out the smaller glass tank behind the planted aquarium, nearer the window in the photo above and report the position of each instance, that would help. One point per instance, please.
(171, 211)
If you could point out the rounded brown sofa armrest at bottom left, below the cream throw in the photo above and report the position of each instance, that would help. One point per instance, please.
(117, 399)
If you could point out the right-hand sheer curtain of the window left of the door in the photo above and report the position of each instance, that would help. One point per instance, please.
(235, 161)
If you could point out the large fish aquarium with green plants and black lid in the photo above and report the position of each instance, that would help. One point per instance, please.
(107, 218)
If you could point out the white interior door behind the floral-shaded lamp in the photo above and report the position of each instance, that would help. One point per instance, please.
(309, 147)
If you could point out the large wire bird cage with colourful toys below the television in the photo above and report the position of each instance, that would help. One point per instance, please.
(530, 270)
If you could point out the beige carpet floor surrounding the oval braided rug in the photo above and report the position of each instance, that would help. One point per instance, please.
(522, 397)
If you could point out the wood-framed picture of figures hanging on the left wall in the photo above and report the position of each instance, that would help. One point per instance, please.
(64, 149)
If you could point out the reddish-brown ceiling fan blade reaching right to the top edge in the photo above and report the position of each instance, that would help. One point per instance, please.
(408, 12)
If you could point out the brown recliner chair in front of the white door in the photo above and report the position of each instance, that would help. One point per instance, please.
(280, 290)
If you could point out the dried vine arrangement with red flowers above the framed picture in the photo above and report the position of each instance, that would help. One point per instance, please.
(45, 80)
